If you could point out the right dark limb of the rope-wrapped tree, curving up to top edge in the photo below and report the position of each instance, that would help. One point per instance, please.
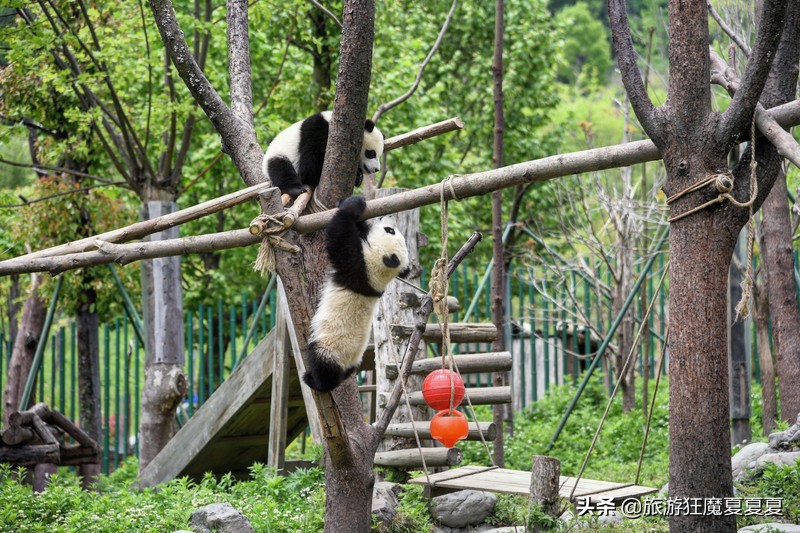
(740, 111)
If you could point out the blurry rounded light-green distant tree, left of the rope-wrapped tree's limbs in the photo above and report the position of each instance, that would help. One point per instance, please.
(586, 54)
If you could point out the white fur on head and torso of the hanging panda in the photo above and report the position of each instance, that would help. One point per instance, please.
(342, 323)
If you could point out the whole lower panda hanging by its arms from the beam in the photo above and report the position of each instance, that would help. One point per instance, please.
(365, 256)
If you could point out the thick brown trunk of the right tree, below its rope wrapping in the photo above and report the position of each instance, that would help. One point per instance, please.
(698, 419)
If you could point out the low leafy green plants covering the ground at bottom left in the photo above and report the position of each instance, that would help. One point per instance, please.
(271, 503)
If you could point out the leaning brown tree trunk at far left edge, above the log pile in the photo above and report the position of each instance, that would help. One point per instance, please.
(30, 330)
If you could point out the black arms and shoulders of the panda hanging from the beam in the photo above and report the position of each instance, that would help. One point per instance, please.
(344, 241)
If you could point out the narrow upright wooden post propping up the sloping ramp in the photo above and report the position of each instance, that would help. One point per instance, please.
(280, 394)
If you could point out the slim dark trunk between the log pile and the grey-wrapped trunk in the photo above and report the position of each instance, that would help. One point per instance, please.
(89, 375)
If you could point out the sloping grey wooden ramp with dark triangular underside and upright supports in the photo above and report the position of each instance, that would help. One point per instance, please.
(233, 429)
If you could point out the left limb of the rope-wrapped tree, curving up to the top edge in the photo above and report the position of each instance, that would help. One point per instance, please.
(631, 77)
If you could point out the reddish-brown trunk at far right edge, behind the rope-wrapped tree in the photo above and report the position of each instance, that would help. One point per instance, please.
(778, 251)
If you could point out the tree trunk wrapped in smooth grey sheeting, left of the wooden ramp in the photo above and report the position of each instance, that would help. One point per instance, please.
(165, 383)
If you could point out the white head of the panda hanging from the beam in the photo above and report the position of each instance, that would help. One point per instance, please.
(385, 252)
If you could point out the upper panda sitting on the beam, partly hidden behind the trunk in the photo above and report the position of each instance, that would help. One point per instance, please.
(293, 160)
